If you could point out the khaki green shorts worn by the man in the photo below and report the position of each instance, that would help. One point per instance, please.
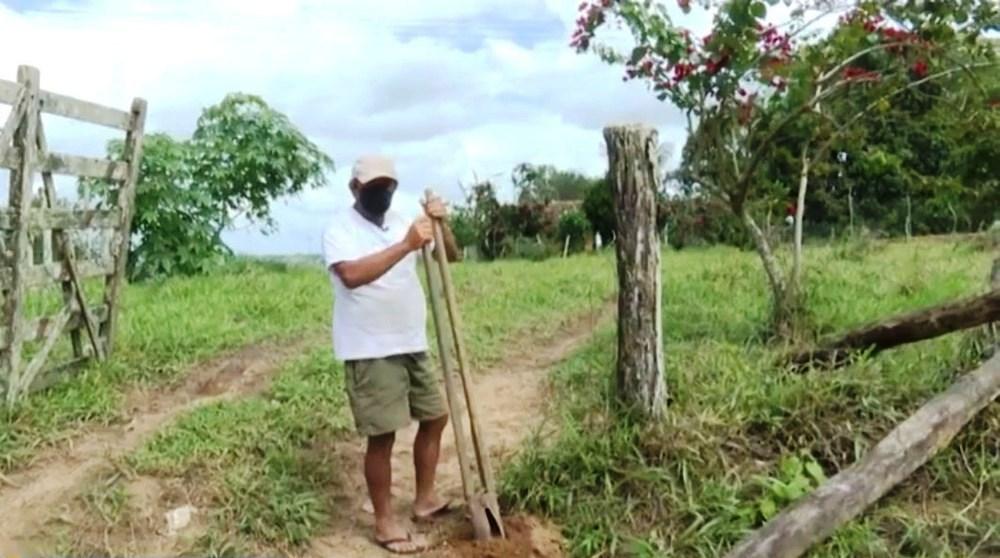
(386, 393)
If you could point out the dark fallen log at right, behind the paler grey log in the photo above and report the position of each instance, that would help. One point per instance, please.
(900, 330)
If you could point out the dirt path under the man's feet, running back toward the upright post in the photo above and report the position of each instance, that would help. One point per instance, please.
(512, 399)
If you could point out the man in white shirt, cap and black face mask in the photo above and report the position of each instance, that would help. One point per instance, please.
(379, 331)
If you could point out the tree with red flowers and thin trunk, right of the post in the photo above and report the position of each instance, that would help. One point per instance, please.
(749, 83)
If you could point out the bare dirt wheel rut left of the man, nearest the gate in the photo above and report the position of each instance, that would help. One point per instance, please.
(31, 497)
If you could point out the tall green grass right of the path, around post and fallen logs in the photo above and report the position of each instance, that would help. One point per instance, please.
(742, 439)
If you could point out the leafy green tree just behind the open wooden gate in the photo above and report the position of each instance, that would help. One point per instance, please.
(243, 155)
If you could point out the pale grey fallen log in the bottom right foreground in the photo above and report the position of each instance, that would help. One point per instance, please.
(898, 455)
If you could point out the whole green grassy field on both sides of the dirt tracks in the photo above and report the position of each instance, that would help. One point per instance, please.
(741, 440)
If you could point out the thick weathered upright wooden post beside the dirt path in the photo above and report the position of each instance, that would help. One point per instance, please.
(632, 152)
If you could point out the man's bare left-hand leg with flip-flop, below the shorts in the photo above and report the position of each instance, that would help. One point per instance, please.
(378, 475)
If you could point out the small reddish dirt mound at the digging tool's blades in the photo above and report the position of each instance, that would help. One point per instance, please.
(527, 537)
